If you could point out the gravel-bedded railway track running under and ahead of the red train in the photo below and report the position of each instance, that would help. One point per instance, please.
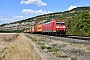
(71, 39)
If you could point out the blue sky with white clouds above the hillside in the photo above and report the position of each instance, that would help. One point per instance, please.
(16, 10)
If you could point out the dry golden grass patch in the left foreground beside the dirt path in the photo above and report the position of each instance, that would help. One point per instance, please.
(21, 48)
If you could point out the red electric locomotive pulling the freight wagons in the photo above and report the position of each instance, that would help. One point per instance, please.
(54, 27)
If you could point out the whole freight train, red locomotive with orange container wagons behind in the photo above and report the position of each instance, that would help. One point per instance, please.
(53, 27)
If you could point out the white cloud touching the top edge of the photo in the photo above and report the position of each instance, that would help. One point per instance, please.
(37, 2)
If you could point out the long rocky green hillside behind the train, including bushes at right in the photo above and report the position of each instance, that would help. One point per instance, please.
(75, 20)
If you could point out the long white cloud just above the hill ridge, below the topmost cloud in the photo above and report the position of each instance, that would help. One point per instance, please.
(30, 11)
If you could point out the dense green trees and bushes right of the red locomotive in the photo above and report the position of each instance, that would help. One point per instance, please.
(79, 24)
